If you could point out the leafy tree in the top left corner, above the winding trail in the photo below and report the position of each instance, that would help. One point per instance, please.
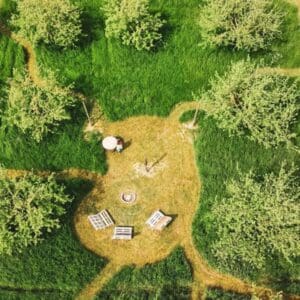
(55, 22)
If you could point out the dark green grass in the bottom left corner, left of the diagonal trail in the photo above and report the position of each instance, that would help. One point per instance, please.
(59, 265)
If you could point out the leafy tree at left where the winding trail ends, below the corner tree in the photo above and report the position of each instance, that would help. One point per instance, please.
(36, 110)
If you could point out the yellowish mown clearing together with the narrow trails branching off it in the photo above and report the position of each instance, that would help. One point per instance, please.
(179, 196)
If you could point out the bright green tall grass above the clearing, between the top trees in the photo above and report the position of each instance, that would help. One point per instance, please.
(127, 82)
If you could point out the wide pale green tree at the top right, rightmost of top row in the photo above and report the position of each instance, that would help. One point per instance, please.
(243, 24)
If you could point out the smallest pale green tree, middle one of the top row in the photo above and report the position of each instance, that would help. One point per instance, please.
(131, 22)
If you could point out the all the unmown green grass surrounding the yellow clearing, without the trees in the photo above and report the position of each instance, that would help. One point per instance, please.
(126, 82)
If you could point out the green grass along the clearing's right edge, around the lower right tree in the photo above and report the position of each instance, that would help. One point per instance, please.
(219, 155)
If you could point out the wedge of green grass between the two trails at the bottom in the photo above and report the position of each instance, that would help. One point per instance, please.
(167, 279)
